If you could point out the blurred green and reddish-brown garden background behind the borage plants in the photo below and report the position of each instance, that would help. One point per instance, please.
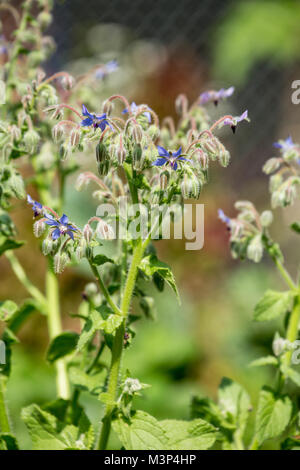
(164, 50)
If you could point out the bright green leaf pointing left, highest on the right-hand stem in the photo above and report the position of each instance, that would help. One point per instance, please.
(272, 305)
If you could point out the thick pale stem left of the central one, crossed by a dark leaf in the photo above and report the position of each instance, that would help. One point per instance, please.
(55, 328)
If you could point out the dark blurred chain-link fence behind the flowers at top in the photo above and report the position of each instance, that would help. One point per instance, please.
(189, 22)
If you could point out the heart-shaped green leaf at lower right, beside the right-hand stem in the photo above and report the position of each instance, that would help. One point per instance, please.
(273, 415)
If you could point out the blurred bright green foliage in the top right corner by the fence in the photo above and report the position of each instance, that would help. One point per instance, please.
(255, 31)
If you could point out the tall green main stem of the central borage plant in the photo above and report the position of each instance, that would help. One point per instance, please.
(118, 344)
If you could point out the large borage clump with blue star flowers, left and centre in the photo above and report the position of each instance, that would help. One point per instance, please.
(138, 162)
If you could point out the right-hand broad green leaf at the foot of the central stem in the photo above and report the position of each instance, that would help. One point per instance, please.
(189, 435)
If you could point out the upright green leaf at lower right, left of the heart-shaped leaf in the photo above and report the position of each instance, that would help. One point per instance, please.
(234, 403)
